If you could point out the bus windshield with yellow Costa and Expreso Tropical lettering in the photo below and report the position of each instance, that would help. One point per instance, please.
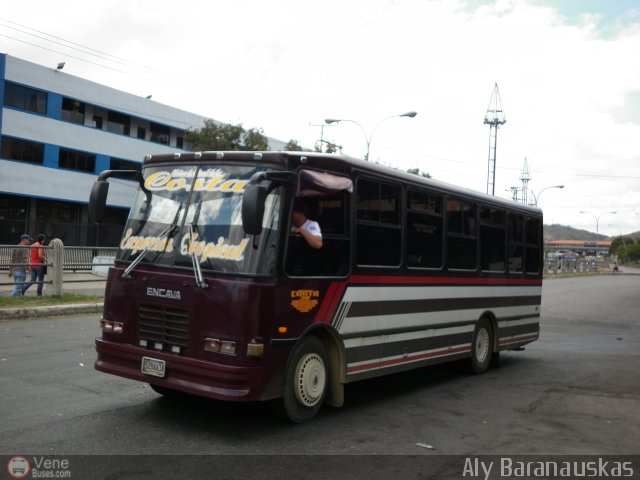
(188, 214)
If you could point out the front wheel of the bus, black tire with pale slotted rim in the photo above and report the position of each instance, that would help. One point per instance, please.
(306, 381)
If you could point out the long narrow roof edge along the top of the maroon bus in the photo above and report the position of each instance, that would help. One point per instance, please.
(335, 163)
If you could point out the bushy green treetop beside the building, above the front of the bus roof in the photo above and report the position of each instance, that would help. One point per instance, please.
(226, 137)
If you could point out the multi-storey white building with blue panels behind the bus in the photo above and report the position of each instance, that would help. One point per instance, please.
(58, 133)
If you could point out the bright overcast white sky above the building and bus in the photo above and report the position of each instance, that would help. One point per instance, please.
(568, 72)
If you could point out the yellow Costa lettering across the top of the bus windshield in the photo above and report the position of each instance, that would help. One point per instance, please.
(177, 180)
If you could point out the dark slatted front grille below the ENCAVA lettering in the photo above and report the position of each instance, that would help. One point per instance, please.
(167, 325)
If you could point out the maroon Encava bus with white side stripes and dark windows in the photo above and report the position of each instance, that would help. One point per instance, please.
(212, 294)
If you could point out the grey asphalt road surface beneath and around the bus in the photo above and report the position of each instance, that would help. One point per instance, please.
(575, 391)
